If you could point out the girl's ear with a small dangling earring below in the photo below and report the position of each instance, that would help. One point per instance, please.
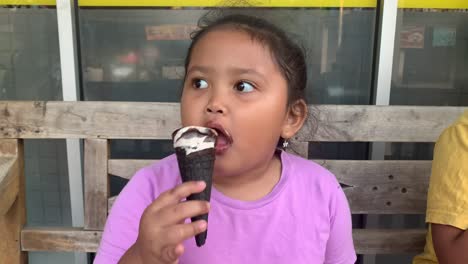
(295, 118)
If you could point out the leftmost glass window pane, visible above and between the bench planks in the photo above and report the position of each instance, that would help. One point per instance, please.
(30, 70)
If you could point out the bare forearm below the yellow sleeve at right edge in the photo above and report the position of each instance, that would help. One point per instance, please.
(450, 244)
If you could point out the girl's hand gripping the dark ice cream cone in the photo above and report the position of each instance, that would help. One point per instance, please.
(162, 228)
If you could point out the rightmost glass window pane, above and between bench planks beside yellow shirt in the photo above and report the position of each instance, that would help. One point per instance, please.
(430, 67)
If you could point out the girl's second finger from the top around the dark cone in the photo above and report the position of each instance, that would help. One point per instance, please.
(176, 214)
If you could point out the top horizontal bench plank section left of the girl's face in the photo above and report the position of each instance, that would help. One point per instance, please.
(59, 119)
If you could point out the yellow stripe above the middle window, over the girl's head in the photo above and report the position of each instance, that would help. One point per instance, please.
(215, 3)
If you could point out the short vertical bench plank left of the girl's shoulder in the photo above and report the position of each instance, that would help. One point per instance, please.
(96, 183)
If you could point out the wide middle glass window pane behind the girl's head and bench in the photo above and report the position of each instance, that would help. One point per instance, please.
(137, 54)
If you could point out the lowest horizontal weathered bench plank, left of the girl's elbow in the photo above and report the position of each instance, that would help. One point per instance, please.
(60, 239)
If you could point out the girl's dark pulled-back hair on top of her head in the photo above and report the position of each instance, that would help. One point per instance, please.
(287, 54)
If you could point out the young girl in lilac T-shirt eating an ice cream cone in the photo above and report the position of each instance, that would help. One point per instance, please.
(246, 79)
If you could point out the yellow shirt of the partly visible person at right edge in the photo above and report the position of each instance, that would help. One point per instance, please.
(447, 201)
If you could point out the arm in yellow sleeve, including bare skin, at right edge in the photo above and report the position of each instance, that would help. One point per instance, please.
(448, 195)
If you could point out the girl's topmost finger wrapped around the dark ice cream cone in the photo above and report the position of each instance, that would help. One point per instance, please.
(175, 195)
